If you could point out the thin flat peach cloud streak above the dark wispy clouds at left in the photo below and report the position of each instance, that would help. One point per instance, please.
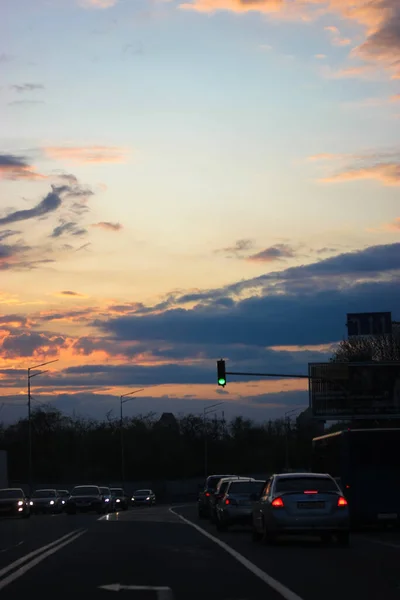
(87, 154)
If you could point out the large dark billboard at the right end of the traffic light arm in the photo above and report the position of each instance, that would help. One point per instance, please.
(354, 390)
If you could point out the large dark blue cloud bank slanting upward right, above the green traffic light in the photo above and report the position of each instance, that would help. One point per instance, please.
(300, 305)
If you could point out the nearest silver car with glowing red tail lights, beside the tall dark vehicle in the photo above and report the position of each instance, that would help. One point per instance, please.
(301, 503)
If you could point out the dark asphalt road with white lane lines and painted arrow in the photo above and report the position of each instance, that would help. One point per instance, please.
(180, 557)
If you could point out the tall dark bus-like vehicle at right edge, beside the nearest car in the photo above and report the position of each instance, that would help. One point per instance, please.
(366, 464)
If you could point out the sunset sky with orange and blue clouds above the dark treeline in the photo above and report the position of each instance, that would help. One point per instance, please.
(185, 181)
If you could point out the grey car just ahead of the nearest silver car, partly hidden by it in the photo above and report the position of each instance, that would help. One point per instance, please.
(236, 504)
